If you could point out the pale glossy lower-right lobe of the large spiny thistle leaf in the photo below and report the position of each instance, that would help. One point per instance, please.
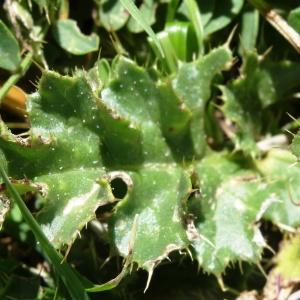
(226, 210)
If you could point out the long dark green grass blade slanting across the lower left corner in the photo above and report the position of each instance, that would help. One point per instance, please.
(65, 272)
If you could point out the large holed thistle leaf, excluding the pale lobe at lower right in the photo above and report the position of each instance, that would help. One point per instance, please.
(82, 139)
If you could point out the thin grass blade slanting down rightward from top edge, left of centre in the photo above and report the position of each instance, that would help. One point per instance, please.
(135, 13)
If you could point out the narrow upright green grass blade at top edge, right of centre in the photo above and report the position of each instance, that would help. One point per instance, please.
(195, 17)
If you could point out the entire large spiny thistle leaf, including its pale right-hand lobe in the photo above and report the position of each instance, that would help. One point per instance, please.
(79, 137)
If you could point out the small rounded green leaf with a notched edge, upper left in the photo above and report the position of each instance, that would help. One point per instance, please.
(69, 37)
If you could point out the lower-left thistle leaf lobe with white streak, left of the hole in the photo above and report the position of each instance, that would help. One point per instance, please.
(72, 200)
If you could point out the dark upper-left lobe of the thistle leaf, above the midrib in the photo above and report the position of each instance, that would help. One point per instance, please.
(58, 124)
